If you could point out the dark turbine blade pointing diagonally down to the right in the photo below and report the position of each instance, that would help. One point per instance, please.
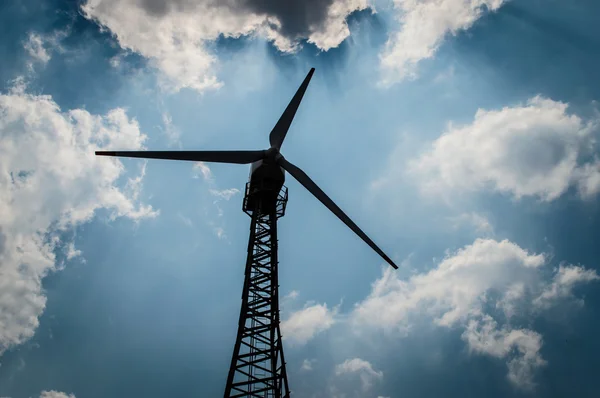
(309, 184)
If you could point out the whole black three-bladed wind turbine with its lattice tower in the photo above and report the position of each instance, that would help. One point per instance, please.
(257, 365)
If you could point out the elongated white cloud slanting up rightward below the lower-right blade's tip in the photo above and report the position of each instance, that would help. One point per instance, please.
(454, 290)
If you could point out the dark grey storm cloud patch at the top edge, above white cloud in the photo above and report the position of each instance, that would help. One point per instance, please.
(296, 16)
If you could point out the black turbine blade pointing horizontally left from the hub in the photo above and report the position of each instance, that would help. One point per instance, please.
(240, 157)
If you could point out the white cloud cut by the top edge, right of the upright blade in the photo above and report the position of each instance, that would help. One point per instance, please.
(424, 26)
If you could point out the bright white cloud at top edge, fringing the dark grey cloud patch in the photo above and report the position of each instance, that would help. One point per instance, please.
(176, 37)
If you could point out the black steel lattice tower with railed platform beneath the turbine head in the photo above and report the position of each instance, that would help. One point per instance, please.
(258, 365)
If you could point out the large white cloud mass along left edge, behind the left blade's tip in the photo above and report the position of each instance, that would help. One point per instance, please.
(50, 180)
